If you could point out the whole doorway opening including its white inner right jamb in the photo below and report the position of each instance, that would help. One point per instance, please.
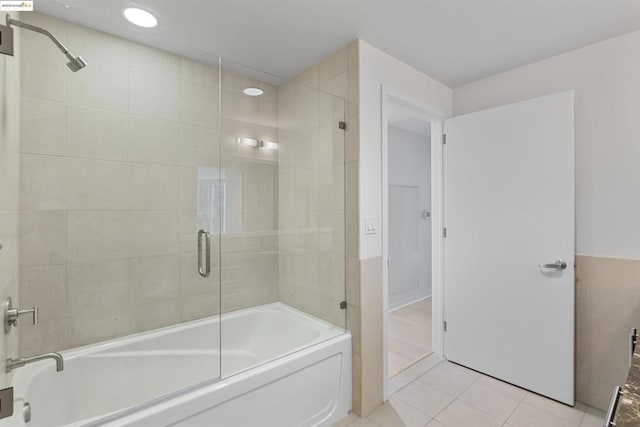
(412, 210)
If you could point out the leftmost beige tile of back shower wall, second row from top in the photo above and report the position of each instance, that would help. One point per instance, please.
(43, 129)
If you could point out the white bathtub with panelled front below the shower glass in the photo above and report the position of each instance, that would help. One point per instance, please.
(280, 367)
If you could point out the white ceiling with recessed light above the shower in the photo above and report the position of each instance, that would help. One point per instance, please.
(455, 42)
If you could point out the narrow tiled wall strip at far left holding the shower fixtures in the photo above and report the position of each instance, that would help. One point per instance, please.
(9, 197)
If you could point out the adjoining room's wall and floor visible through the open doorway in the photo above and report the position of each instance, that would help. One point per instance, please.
(409, 290)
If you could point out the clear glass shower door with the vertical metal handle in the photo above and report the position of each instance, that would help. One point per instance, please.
(119, 169)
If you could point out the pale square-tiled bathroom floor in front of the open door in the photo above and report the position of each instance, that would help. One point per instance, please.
(447, 395)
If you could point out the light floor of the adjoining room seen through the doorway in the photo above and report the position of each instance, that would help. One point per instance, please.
(409, 335)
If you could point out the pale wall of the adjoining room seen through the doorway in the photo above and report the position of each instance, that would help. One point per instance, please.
(410, 165)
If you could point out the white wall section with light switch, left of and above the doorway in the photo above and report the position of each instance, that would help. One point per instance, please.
(376, 69)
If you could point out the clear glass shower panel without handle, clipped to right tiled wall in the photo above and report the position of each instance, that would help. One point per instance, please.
(282, 246)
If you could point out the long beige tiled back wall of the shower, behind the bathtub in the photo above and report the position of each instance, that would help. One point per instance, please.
(110, 166)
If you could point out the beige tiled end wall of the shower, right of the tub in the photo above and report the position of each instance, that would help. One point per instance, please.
(319, 193)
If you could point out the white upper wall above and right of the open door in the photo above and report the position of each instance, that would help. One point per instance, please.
(606, 79)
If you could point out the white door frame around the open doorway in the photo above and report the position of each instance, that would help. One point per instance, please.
(435, 117)
